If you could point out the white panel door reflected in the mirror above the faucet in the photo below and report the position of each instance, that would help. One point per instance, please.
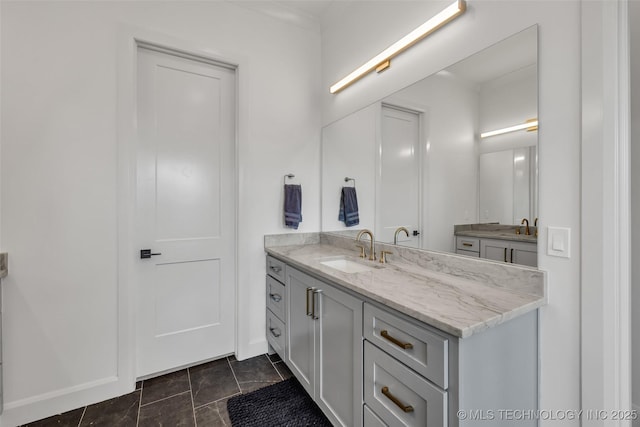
(399, 194)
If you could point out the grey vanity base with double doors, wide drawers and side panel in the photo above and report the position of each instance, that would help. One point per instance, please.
(368, 365)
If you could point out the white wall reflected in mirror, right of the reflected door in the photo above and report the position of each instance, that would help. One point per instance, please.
(450, 164)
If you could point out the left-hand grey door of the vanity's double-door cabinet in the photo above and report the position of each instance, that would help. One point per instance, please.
(300, 328)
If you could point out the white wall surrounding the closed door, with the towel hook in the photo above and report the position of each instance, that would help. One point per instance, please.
(59, 179)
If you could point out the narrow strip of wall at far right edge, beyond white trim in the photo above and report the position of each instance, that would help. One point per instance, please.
(634, 19)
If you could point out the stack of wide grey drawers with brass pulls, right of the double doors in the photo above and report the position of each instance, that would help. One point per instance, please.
(406, 372)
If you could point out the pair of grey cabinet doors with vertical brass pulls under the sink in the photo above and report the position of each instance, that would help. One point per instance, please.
(324, 345)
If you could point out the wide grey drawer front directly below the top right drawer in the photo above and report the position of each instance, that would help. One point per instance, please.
(398, 395)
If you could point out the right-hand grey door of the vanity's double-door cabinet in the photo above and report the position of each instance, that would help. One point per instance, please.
(339, 356)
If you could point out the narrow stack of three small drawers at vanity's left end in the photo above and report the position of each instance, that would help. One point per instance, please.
(276, 305)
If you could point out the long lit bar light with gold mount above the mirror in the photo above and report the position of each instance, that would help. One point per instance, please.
(382, 61)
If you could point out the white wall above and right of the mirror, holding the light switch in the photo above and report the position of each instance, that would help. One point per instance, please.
(350, 42)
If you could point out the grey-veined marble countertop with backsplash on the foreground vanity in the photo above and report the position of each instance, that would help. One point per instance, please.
(458, 303)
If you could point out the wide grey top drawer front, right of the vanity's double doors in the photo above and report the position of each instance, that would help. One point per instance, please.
(426, 352)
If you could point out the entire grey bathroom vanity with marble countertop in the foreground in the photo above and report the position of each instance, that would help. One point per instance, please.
(426, 339)
